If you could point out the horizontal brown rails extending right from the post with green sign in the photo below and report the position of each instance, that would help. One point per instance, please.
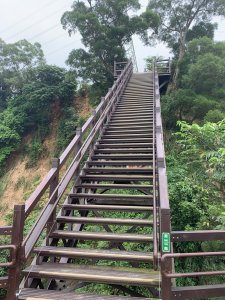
(194, 292)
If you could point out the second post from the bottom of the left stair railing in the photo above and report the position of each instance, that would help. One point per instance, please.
(53, 185)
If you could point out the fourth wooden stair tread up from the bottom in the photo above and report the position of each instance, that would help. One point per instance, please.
(102, 236)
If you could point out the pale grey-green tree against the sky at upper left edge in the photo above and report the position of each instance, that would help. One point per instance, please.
(16, 61)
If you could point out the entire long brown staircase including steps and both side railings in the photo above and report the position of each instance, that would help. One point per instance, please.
(106, 216)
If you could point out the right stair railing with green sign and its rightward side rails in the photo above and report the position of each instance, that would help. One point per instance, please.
(168, 238)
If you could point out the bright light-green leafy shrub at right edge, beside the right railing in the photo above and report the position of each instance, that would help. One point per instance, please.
(206, 145)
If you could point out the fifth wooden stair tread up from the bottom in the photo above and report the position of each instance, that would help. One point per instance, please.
(105, 221)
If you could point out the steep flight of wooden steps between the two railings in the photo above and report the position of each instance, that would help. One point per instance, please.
(106, 231)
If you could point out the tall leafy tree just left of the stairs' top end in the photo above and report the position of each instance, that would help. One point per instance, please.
(106, 26)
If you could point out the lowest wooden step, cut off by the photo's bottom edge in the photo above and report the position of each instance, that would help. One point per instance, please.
(29, 294)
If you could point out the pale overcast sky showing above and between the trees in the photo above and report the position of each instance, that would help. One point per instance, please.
(39, 21)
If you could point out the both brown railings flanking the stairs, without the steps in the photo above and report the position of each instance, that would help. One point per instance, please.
(21, 247)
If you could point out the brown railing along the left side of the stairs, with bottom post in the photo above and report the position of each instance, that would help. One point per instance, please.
(56, 184)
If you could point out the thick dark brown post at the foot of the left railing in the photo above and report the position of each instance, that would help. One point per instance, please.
(17, 239)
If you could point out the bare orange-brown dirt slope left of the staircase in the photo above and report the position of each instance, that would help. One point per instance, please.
(19, 182)
